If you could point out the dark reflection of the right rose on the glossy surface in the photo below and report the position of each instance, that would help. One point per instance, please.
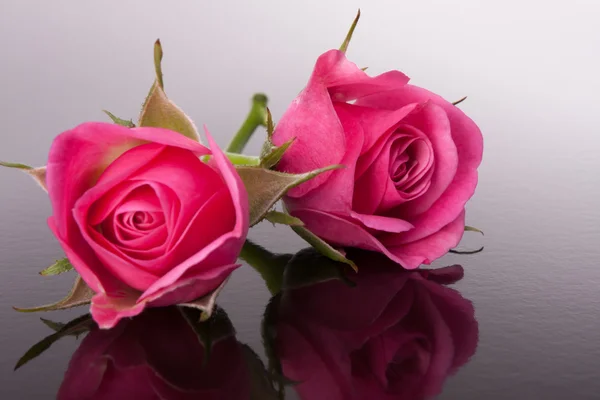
(396, 335)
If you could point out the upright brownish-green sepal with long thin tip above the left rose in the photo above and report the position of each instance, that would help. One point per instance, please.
(160, 112)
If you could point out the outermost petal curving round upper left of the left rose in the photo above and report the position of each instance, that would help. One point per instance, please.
(77, 157)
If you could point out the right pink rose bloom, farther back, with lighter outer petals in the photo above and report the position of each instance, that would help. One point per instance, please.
(411, 161)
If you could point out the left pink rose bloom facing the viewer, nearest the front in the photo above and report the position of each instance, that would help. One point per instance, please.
(142, 219)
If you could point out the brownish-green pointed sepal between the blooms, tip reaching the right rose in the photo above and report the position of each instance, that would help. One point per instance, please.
(266, 187)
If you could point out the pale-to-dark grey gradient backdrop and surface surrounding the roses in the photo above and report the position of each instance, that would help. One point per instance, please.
(530, 69)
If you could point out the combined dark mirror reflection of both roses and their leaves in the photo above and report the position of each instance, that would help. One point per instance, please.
(327, 332)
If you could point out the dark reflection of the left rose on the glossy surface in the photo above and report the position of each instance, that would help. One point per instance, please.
(156, 355)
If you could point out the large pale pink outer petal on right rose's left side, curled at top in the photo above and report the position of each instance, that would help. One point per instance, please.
(312, 120)
